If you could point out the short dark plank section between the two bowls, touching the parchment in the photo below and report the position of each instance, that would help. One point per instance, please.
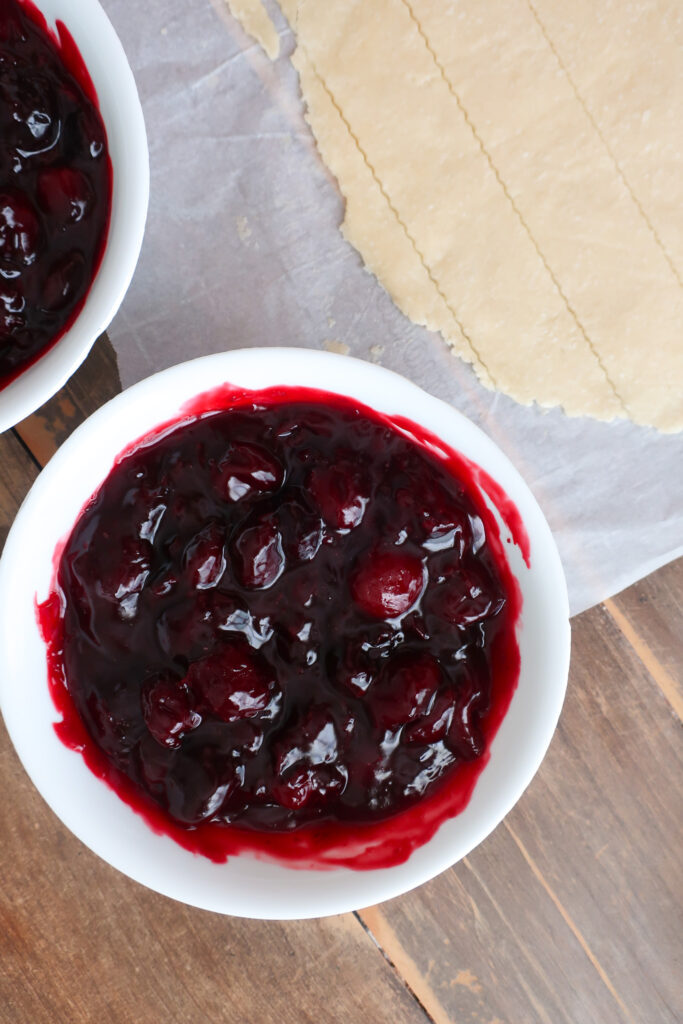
(95, 383)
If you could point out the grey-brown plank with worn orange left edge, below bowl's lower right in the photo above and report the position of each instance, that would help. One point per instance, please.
(484, 943)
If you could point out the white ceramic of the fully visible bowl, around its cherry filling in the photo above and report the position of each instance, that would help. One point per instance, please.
(245, 886)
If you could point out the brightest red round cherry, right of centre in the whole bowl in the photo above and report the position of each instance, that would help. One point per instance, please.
(388, 583)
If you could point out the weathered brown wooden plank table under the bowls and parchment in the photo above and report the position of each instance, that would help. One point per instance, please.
(570, 913)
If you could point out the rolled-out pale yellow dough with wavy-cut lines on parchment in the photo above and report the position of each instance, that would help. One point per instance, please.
(493, 197)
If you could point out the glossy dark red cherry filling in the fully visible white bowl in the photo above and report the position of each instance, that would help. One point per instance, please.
(285, 625)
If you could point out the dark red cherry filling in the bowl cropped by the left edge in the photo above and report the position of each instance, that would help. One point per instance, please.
(56, 186)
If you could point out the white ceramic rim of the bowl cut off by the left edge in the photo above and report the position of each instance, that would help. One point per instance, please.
(122, 114)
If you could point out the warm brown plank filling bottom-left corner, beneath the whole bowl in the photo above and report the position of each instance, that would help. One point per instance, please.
(80, 943)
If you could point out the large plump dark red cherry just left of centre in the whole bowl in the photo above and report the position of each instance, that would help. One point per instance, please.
(234, 684)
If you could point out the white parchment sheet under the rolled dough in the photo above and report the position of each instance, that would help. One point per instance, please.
(243, 249)
